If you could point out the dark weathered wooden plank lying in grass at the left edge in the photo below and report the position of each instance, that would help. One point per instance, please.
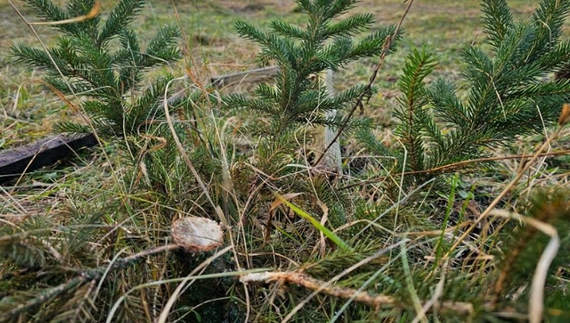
(41, 153)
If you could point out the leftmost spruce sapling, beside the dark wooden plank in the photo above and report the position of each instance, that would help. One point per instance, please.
(100, 65)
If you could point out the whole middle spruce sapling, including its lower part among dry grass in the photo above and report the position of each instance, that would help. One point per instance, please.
(280, 112)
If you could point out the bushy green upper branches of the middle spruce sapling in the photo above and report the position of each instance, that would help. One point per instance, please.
(327, 42)
